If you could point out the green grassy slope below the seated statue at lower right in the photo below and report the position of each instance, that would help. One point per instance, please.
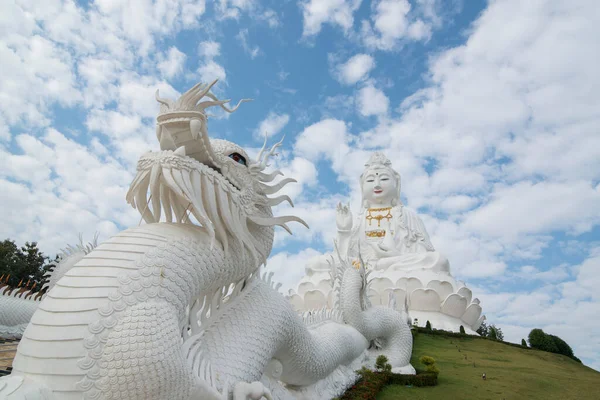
(512, 373)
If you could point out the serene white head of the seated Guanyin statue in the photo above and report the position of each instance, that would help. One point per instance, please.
(380, 183)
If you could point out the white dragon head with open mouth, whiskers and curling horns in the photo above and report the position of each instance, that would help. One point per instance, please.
(211, 182)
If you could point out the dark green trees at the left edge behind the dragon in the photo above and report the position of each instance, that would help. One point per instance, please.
(25, 265)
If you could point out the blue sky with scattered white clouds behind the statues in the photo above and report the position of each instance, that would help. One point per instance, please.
(489, 110)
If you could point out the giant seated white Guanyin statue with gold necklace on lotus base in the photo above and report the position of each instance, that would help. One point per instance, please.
(405, 269)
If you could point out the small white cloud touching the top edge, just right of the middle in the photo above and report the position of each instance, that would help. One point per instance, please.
(335, 12)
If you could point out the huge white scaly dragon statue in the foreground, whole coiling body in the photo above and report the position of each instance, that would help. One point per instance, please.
(178, 309)
